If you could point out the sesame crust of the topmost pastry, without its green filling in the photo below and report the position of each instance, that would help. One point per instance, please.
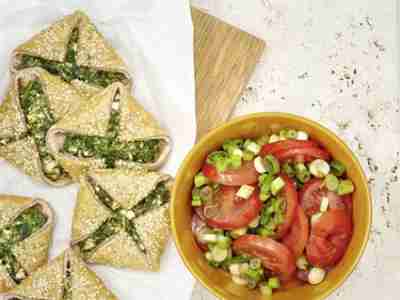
(93, 50)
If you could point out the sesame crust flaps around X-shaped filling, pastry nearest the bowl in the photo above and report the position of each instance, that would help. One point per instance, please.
(152, 226)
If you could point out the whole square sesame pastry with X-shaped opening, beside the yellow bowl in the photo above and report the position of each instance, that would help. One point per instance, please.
(121, 218)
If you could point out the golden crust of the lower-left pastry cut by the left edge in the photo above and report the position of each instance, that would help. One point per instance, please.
(32, 252)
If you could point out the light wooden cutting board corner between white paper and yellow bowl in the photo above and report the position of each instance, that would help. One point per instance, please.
(225, 57)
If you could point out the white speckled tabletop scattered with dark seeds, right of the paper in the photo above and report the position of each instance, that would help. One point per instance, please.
(313, 49)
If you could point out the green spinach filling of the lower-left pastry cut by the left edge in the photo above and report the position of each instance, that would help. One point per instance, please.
(27, 223)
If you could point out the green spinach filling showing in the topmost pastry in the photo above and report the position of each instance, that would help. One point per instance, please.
(69, 69)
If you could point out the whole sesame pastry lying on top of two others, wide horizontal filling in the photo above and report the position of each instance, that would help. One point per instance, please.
(110, 130)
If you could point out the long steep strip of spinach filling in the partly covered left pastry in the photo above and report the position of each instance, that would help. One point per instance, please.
(35, 106)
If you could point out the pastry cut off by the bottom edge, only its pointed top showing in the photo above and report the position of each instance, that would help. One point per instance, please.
(64, 278)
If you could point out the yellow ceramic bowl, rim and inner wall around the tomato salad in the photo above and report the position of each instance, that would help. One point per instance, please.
(254, 125)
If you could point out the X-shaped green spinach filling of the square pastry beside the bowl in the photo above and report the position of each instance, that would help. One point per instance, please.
(122, 219)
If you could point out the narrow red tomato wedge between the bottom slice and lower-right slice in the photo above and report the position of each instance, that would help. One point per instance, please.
(296, 239)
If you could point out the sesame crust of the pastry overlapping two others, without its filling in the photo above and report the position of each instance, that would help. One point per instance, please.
(92, 119)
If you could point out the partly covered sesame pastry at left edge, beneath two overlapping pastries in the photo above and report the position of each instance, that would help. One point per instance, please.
(35, 101)
